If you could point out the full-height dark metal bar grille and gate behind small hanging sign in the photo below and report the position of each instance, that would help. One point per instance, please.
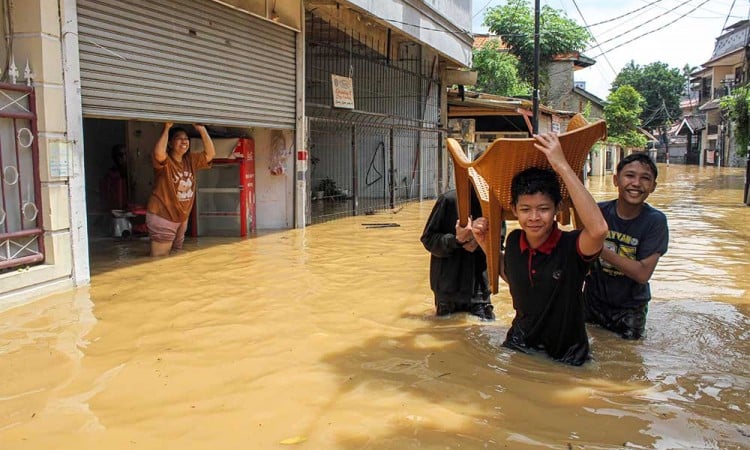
(386, 150)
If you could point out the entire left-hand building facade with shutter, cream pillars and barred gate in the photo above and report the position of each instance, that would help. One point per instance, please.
(85, 76)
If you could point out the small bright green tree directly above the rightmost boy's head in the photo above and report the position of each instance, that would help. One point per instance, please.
(622, 115)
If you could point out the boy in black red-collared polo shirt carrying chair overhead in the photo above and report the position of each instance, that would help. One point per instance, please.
(544, 266)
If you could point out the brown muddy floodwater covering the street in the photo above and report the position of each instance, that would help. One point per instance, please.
(325, 338)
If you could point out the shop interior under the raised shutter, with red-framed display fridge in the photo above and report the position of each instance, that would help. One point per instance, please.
(119, 179)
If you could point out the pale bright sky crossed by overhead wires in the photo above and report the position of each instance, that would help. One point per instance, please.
(675, 32)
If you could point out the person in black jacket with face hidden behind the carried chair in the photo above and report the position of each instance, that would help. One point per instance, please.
(458, 267)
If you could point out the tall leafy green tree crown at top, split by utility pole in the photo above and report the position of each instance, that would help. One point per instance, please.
(514, 23)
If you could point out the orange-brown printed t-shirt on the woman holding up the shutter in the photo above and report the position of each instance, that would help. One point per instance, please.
(174, 186)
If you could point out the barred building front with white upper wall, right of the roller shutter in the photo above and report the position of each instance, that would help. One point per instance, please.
(375, 81)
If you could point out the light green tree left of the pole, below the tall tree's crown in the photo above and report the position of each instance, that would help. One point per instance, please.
(497, 71)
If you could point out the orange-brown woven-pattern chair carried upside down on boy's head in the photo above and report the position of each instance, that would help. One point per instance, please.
(491, 175)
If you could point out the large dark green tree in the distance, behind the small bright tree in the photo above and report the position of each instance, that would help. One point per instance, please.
(660, 85)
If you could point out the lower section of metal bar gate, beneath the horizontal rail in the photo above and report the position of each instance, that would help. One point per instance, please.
(363, 168)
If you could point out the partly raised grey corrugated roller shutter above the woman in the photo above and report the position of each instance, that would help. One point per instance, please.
(192, 61)
